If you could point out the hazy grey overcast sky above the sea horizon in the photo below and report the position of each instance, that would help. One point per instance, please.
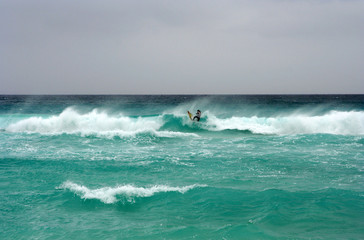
(181, 47)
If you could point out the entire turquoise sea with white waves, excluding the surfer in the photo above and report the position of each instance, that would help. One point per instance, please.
(136, 167)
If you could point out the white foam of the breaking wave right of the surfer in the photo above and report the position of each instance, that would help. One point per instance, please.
(334, 122)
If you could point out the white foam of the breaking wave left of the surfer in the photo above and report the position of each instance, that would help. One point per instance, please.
(95, 122)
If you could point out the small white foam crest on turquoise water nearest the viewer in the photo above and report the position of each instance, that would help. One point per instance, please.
(129, 192)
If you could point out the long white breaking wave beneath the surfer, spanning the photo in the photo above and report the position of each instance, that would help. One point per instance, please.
(102, 124)
